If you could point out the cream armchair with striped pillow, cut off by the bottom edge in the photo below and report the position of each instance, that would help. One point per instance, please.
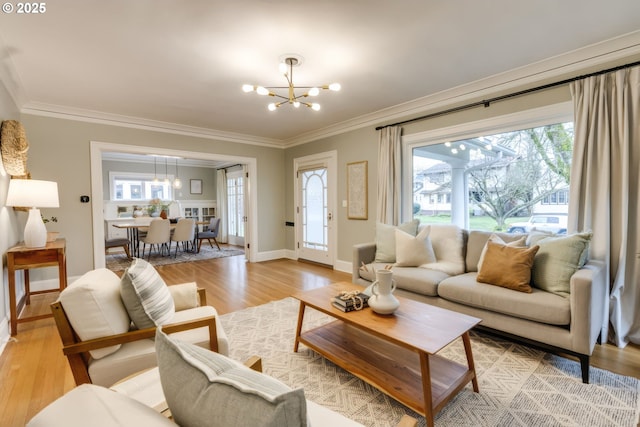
(202, 388)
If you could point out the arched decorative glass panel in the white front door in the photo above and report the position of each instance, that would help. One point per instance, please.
(314, 209)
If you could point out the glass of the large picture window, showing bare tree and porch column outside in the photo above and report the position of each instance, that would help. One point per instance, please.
(505, 176)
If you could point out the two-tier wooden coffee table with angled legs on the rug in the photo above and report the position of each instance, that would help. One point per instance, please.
(394, 353)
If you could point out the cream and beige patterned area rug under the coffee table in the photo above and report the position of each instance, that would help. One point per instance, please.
(519, 386)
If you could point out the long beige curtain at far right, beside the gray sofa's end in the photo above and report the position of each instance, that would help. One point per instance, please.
(605, 190)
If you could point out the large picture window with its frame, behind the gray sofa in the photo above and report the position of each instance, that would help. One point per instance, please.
(489, 177)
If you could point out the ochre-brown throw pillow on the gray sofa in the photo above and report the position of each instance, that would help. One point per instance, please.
(507, 266)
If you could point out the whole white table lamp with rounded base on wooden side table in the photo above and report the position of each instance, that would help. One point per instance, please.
(34, 194)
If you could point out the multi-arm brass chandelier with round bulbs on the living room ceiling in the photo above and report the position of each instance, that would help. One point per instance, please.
(286, 68)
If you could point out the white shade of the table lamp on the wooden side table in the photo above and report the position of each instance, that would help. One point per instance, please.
(32, 193)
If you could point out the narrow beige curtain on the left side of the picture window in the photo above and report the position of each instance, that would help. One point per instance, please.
(389, 175)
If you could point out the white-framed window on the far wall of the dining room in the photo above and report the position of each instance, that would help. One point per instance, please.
(130, 186)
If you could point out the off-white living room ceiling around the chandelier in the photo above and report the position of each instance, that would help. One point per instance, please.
(176, 64)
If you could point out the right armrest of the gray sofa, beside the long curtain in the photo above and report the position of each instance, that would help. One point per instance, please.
(588, 291)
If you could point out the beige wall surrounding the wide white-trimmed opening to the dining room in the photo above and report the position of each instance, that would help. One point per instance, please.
(60, 151)
